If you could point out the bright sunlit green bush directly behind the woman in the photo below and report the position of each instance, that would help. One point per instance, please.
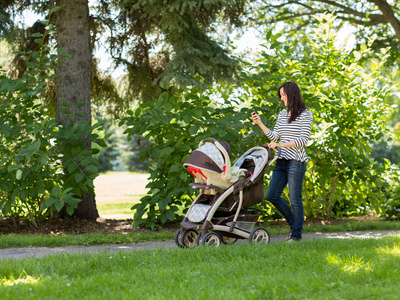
(349, 115)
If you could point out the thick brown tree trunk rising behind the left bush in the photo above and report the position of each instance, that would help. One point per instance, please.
(73, 81)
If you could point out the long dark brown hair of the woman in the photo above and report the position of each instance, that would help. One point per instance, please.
(295, 102)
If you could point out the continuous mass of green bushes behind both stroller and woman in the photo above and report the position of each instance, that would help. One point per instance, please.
(348, 108)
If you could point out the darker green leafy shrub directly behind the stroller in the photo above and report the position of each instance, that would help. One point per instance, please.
(173, 127)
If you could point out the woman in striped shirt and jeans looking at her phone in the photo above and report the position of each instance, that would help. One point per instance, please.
(293, 129)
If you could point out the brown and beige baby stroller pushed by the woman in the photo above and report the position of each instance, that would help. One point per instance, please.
(221, 213)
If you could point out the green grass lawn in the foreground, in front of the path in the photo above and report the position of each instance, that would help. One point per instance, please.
(311, 269)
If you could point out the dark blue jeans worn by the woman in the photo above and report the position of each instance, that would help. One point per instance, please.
(289, 172)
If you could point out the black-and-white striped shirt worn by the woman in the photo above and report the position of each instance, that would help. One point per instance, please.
(298, 131)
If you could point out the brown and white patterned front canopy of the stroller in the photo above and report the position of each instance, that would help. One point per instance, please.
(208, 157)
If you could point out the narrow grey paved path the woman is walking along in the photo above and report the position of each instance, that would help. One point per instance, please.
(15, 253)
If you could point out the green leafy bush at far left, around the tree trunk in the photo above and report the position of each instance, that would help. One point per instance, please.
(44, 166)
